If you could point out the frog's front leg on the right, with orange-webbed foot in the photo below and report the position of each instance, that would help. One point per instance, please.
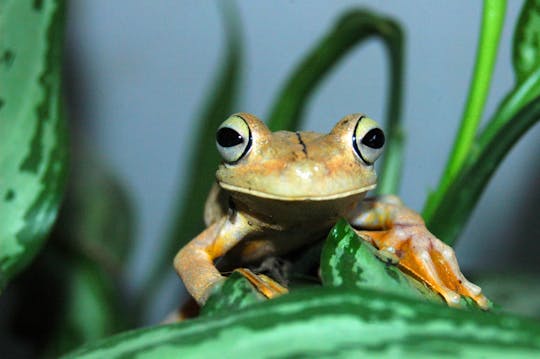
(400, 232)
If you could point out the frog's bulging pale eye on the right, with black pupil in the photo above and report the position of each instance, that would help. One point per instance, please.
(368, 140)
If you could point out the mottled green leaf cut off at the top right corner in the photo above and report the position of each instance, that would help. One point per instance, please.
(526, 49)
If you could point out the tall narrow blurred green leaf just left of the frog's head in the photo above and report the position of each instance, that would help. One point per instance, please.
(187, 218)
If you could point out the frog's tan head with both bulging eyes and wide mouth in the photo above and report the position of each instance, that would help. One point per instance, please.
(296, 166)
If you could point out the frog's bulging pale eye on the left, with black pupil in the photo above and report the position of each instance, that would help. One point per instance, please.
(233, 139)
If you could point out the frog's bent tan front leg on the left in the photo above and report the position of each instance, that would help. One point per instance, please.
(194, 263)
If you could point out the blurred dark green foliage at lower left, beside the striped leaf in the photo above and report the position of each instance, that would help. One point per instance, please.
(92, 243)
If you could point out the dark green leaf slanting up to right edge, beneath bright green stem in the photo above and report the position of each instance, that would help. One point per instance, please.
(463, 194)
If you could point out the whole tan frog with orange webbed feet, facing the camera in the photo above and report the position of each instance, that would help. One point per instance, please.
(276, 192)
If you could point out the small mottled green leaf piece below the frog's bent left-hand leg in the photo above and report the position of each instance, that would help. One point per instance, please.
(235, 293)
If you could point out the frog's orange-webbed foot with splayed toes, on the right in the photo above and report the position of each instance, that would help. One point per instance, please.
(428, 259)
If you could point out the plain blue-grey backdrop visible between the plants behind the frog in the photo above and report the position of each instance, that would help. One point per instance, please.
(141, 71)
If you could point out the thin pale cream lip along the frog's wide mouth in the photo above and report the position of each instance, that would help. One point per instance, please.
(299, 197)
